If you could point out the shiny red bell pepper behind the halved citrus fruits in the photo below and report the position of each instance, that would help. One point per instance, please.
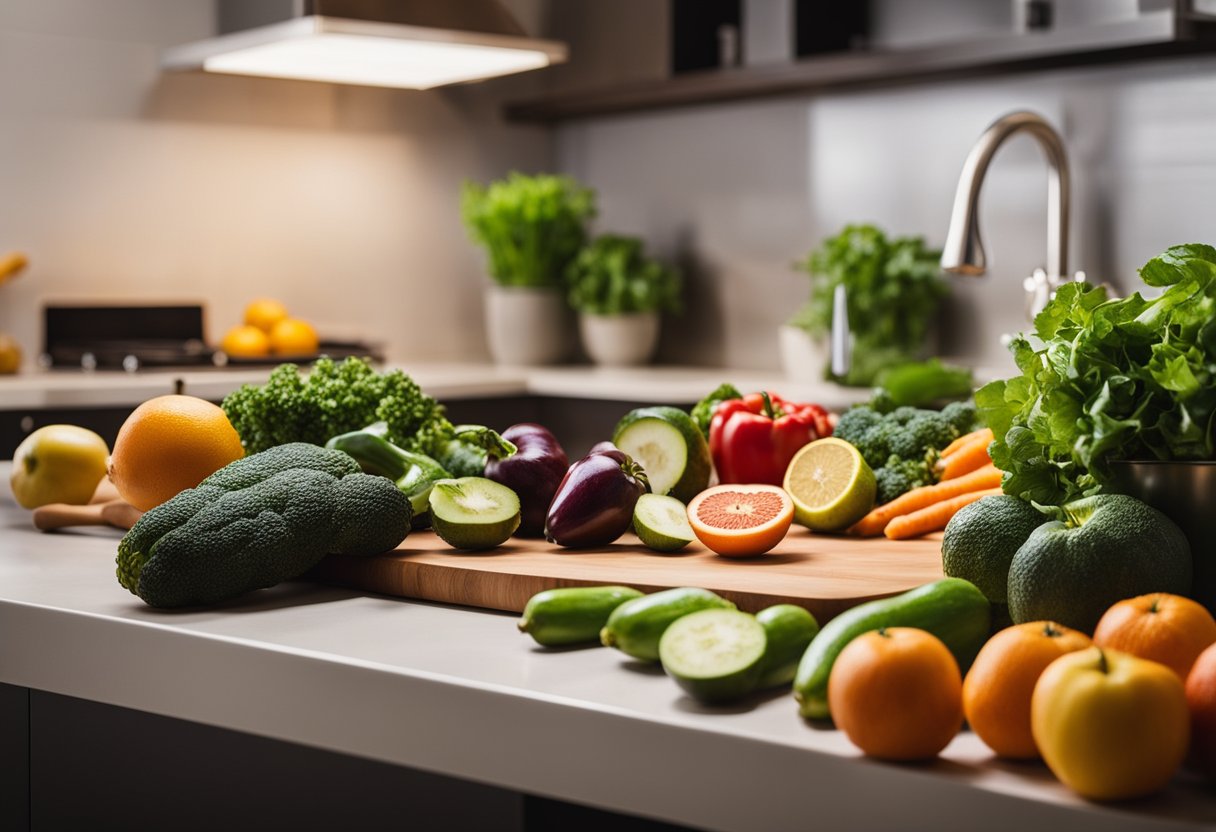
(753, 440)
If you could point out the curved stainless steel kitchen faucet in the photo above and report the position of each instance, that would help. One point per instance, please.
(964, 252)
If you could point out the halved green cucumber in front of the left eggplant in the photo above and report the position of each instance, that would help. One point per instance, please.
(474, 513)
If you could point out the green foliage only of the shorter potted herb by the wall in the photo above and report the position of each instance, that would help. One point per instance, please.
(613, 277)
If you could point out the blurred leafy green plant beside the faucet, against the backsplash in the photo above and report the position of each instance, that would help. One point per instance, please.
(894, 289)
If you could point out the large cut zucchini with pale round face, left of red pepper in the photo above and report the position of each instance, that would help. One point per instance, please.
(669, 447)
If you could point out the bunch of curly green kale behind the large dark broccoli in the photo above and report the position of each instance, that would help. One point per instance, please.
(341, 398)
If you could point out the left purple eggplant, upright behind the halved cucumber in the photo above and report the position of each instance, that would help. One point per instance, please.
(533, 473)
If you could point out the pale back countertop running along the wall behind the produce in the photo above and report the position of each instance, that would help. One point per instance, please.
(443, 381)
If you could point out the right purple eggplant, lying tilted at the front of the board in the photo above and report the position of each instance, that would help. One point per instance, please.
(595, 503)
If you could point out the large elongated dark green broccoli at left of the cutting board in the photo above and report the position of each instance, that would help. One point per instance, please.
(257, 522)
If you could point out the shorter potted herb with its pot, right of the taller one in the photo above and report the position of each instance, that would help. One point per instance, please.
(620, 294)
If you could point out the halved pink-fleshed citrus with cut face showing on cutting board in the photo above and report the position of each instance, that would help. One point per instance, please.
(740, 521)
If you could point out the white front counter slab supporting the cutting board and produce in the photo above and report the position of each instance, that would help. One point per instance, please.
(460, 693)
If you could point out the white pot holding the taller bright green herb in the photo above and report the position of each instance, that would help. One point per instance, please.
(528, 327)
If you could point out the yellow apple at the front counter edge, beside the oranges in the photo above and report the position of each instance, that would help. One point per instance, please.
(1111, 726)
